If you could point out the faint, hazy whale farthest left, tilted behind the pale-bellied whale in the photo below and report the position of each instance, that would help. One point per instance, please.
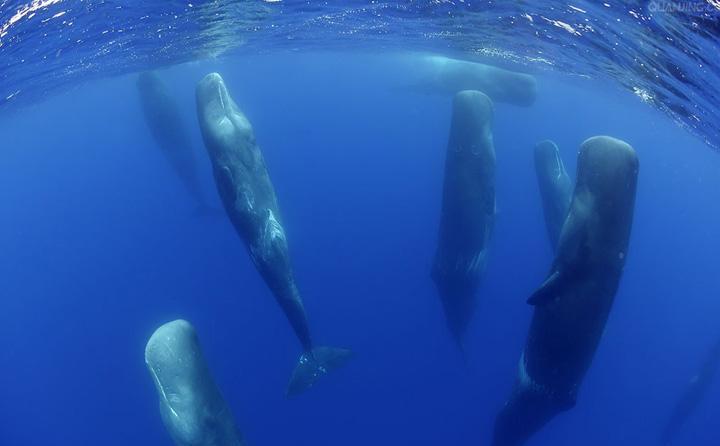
(166, 125)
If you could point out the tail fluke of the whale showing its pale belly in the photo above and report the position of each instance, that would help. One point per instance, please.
(312, 365)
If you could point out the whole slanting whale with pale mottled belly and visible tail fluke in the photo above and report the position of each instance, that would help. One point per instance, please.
(249, 199)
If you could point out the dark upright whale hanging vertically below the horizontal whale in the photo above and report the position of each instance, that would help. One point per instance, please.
(468, 209)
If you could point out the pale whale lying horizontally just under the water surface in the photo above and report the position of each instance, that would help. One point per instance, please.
(442, 75)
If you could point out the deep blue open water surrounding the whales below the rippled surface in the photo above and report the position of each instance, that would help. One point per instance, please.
(100, 246)
